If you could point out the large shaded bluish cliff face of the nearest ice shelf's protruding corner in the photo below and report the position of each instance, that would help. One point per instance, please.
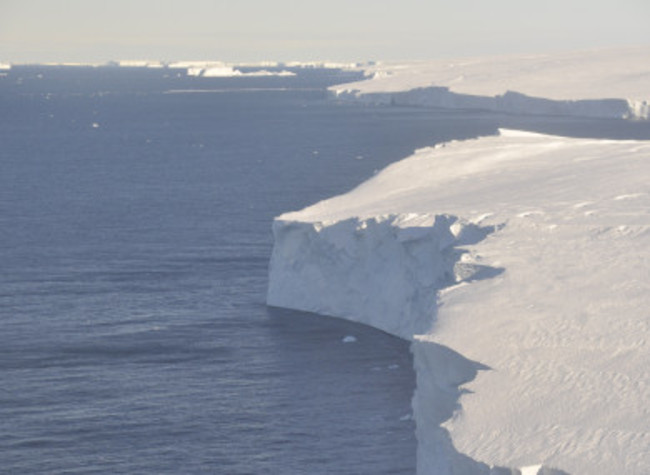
(383, 271)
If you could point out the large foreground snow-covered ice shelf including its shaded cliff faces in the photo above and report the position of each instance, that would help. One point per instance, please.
(519, 265)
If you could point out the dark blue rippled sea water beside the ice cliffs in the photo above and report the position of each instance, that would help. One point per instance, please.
(134, 243)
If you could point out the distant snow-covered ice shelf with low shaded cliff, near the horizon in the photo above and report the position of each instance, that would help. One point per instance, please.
(603, 83)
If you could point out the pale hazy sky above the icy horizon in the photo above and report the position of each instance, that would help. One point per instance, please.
(350, 30)
